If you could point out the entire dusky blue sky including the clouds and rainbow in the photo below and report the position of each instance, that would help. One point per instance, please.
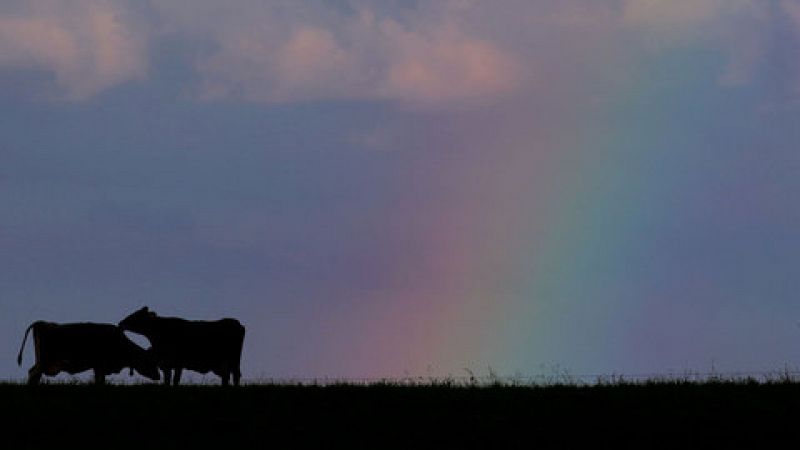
(410, 187)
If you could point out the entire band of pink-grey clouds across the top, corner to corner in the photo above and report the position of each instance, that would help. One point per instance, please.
(427, 53)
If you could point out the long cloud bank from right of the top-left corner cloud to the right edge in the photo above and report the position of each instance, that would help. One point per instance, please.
(452, 51)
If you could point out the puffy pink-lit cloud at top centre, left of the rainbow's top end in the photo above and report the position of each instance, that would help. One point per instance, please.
(358, 56)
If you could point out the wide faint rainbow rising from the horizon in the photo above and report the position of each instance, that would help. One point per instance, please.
(547, 252)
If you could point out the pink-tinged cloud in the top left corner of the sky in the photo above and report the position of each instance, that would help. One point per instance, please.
(88, 45)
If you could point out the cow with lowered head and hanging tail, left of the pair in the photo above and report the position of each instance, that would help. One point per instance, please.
(77, 347)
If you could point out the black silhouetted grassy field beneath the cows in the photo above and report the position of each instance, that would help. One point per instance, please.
(666, 414)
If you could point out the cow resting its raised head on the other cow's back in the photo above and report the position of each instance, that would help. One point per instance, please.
(198, 345)
